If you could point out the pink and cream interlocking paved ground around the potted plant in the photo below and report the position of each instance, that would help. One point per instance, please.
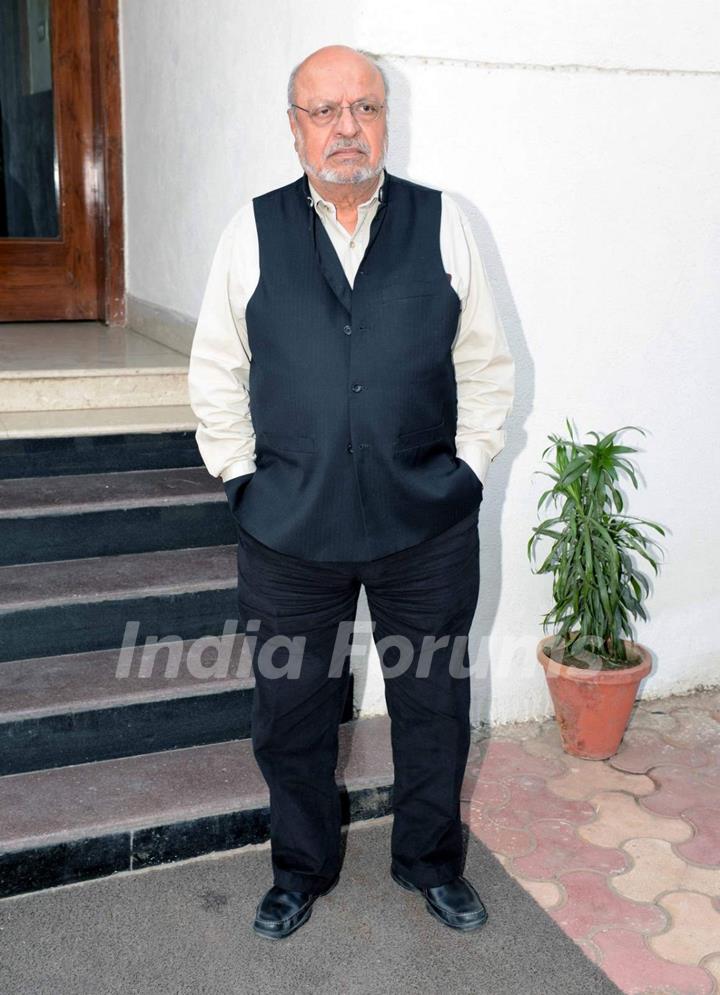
(624, 854)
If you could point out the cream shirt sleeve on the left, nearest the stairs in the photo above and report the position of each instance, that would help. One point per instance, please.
(219, 367)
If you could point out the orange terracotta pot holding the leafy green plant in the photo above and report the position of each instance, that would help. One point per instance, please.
(592, 707)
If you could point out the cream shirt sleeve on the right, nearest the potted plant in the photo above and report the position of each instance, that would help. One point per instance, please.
(484, 367)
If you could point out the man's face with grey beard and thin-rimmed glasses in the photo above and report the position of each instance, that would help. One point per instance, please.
(344, 151)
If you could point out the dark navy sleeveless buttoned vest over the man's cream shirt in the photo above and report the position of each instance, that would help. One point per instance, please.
(352, 389)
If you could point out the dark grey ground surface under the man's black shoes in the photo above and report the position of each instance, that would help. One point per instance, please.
(185, 929)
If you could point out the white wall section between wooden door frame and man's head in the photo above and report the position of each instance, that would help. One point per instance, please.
(205, 127)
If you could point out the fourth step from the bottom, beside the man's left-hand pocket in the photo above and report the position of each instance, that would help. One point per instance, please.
(103, 514)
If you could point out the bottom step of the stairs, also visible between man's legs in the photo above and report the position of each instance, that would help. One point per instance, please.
(88, 821)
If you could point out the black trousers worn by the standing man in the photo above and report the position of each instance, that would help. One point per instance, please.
(301, 664)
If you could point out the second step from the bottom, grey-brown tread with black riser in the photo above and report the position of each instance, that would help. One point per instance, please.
(83, 707)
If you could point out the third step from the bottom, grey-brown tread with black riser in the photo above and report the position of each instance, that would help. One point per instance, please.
(72, 606)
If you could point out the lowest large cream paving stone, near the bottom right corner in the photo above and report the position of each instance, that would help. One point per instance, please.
(695, 929)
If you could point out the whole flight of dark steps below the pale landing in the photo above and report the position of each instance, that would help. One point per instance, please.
(116, 754)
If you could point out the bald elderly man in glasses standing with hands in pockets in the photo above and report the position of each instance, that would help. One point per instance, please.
(351, 379)
